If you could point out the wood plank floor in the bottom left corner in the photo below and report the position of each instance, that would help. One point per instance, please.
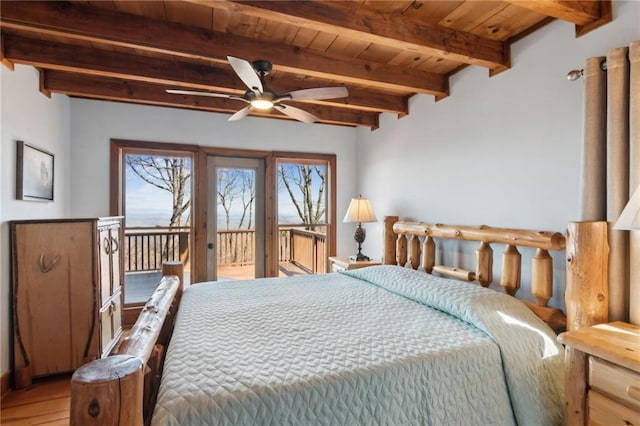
(45, 402)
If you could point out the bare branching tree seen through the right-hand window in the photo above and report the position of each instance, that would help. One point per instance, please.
(309, 206)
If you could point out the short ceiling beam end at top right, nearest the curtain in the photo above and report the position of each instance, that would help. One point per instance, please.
(586, 14)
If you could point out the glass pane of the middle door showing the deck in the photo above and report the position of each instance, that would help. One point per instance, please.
(235, 221)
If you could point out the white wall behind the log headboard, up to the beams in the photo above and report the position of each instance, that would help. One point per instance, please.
(502, 151)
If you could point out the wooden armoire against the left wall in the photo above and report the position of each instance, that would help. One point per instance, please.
(67, 293)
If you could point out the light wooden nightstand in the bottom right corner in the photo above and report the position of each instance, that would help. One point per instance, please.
(602, 380)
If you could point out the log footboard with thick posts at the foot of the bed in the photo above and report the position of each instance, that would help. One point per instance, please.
(121, 388)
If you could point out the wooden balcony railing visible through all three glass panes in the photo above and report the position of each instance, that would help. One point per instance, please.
(147, 248)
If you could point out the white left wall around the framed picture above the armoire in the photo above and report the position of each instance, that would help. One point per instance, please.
(31, 117)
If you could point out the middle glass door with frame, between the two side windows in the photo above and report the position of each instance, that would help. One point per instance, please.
(235, 218)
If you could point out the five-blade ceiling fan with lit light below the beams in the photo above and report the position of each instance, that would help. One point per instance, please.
(260, 97)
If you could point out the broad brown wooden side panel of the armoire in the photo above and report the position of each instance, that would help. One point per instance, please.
(54, 296)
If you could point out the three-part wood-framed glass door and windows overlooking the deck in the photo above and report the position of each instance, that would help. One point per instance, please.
(226, 214)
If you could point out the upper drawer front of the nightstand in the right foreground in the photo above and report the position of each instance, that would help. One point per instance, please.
(615, 381)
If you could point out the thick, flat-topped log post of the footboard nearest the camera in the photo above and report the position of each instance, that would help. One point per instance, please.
(108, 391)
